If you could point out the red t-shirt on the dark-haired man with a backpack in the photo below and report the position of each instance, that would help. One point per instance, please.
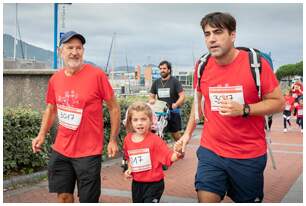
(234, 137)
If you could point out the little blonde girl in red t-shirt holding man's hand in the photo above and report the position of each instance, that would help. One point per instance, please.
(146, 153)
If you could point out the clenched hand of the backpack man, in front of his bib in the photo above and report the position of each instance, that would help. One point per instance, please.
(230, 108)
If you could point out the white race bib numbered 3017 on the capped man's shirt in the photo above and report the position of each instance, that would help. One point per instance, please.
(69, 117)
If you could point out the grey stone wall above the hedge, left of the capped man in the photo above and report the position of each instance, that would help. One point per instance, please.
(25, 87)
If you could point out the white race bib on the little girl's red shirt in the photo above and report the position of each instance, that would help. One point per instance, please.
(140, 160)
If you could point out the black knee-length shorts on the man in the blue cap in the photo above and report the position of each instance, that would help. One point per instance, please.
(64, 172)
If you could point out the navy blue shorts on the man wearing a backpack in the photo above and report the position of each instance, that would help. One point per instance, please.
(240, 179)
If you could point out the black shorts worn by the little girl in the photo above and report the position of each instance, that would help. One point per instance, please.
(147, 192)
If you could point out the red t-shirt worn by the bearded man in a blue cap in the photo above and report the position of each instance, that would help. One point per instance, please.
(79, 99)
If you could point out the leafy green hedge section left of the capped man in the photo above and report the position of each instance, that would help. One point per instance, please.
(20, 126)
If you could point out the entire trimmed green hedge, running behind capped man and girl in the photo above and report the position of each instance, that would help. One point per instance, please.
(21, 125)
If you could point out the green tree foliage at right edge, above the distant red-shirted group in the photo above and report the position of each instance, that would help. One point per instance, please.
(290, 70)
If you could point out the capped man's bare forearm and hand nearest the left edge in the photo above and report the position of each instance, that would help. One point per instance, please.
(46, 123)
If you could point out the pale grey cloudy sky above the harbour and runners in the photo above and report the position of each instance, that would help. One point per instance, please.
(148, 33)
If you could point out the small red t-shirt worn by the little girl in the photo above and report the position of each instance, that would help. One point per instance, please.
(147, 157)
